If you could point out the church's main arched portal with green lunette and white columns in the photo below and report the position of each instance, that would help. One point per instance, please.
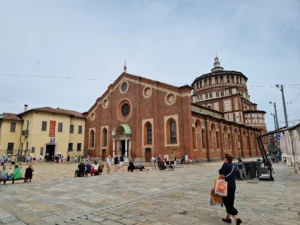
(121, 136)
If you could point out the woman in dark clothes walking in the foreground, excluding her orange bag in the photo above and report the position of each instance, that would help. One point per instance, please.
(228, 172)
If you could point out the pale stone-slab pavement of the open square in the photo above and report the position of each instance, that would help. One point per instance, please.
(149, 197)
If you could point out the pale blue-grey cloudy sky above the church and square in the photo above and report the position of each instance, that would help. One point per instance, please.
(170, 41)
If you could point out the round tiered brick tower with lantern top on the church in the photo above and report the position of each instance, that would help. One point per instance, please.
(226, 91)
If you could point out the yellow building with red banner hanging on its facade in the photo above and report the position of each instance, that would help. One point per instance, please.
(50, 131)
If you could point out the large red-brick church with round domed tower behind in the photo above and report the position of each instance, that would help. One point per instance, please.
(140, 117)
